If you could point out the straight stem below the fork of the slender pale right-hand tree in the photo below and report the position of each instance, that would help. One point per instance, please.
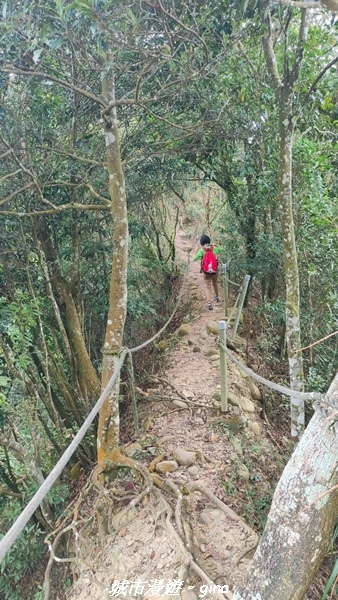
(291, 273)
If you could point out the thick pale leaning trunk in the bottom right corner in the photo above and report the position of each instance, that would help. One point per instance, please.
(300, 522)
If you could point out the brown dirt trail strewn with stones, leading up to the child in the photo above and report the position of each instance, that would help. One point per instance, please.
(143, 549)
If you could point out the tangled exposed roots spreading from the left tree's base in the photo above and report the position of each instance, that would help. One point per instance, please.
(109, 512)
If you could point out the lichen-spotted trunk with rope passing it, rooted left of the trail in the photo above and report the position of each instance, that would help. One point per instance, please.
(108, 428)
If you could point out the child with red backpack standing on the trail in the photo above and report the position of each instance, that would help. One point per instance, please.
(209, 267)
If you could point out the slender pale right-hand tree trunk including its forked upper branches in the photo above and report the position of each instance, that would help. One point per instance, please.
(284, 90)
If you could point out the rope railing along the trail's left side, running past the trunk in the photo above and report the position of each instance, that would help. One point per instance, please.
(10, 537)
